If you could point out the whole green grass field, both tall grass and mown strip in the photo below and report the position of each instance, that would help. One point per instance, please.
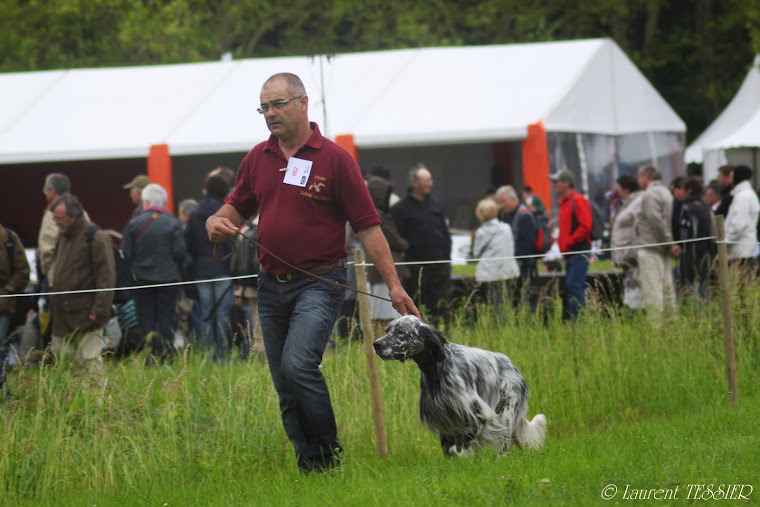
(630, 403)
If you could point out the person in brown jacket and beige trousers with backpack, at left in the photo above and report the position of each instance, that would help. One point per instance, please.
(78, 319)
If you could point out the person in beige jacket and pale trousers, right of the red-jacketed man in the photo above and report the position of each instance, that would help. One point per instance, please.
(653, 226)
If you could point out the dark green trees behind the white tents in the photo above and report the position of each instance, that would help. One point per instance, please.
(695, 52)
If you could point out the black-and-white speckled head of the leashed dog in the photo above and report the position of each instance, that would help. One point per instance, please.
(408, 337)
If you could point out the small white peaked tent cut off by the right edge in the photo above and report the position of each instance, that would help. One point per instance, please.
(734, 136)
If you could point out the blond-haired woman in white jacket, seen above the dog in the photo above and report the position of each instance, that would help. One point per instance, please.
(494, 248)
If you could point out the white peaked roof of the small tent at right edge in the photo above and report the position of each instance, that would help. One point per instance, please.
(738, 125)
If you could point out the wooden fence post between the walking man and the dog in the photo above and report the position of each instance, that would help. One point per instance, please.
(368, 330)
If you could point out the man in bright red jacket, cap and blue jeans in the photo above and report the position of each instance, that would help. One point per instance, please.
(575, 222)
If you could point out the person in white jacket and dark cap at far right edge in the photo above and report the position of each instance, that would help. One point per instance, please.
(742, 217)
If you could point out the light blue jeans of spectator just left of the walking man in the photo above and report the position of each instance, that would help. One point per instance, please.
(215, 323)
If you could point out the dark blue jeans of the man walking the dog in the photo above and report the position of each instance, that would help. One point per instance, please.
(297, 319)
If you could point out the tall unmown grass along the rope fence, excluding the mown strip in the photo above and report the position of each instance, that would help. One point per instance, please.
(196, 429)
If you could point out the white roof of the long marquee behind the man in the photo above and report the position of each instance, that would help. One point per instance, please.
(385, 98)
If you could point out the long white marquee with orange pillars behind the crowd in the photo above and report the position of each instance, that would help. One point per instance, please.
(467, 112)
